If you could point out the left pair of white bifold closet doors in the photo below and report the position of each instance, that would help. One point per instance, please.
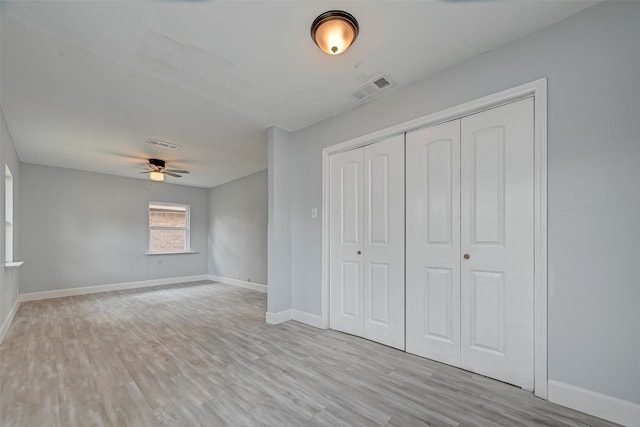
(367, 242)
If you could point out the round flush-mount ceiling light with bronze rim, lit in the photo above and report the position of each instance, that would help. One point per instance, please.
(334, 31)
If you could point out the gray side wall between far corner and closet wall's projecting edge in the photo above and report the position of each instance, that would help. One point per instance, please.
(238, 229)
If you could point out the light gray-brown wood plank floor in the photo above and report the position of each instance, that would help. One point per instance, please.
(200, 354)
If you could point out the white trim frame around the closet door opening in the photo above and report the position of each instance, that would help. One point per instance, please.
(536, 89)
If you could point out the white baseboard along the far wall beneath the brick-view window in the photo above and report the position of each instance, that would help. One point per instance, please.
(59, 293)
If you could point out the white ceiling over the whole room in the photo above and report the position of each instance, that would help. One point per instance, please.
(83, 84)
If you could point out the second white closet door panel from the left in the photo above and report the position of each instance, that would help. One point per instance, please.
(384, 242)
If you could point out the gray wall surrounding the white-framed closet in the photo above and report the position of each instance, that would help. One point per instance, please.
(592, 61)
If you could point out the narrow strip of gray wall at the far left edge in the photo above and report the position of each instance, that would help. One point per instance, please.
(9, 278)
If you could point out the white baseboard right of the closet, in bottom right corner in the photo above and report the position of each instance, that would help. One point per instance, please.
(601, 405)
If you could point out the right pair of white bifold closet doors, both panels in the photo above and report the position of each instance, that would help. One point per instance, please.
(470, 213)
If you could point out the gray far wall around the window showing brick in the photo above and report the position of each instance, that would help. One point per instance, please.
(86, 229)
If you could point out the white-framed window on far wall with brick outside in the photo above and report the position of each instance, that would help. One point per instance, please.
(168, 227)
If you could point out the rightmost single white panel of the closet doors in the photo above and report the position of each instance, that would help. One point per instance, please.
(497, 235)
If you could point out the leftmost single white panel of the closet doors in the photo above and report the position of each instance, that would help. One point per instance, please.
(346, 242)
